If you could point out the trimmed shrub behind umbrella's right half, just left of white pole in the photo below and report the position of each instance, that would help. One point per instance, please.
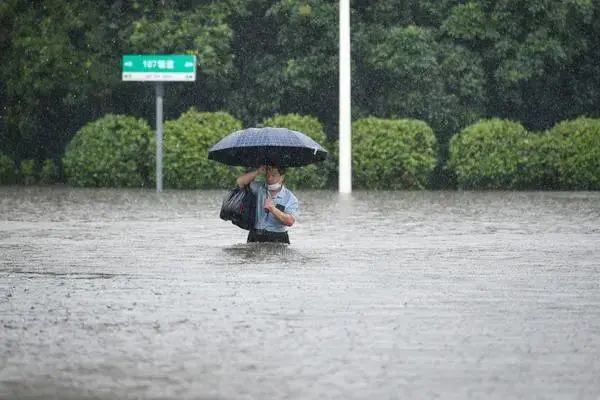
(313, 176)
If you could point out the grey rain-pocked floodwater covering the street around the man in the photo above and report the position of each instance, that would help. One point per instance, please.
(129, 294)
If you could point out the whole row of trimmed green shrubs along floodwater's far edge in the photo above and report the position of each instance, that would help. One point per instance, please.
(119, 151)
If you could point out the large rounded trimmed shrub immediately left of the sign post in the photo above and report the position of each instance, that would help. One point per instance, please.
(109, 152)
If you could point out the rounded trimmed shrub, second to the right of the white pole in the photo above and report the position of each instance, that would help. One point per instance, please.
(494, 154)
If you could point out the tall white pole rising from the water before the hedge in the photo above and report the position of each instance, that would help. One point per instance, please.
(345, 141)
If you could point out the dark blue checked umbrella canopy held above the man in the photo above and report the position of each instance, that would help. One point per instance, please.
(254, 147)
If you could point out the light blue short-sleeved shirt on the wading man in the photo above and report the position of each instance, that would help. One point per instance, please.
(266, 220)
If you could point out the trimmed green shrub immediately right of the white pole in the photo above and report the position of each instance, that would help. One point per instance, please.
(392, 153)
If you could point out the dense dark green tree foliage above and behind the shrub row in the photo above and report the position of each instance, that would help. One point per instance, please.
(445, 62)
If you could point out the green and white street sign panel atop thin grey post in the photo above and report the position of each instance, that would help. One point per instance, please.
(159, 67)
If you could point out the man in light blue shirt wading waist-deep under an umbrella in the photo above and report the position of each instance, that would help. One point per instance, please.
(276, 206)
